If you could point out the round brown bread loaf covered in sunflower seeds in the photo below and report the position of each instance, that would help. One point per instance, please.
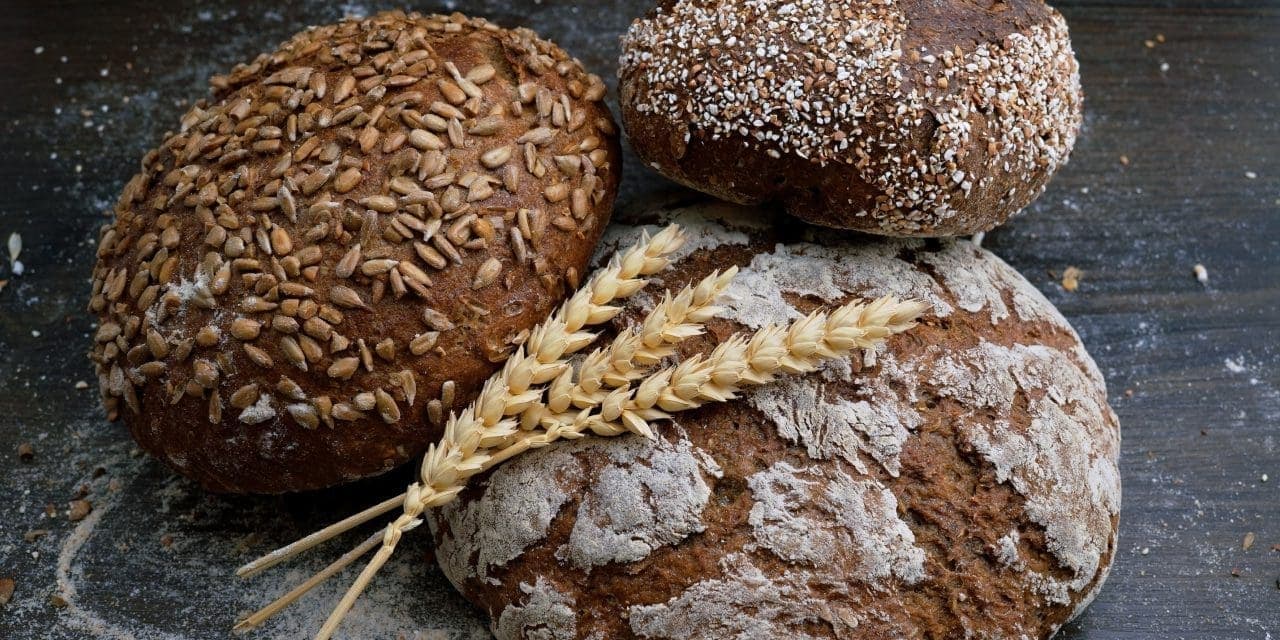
(345, 244)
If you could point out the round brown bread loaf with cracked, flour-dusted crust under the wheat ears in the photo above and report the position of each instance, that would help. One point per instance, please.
(962, 483)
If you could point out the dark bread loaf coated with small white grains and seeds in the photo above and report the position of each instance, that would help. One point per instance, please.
(900, 118)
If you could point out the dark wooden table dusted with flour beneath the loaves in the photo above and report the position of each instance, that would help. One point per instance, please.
(1180, 164)
